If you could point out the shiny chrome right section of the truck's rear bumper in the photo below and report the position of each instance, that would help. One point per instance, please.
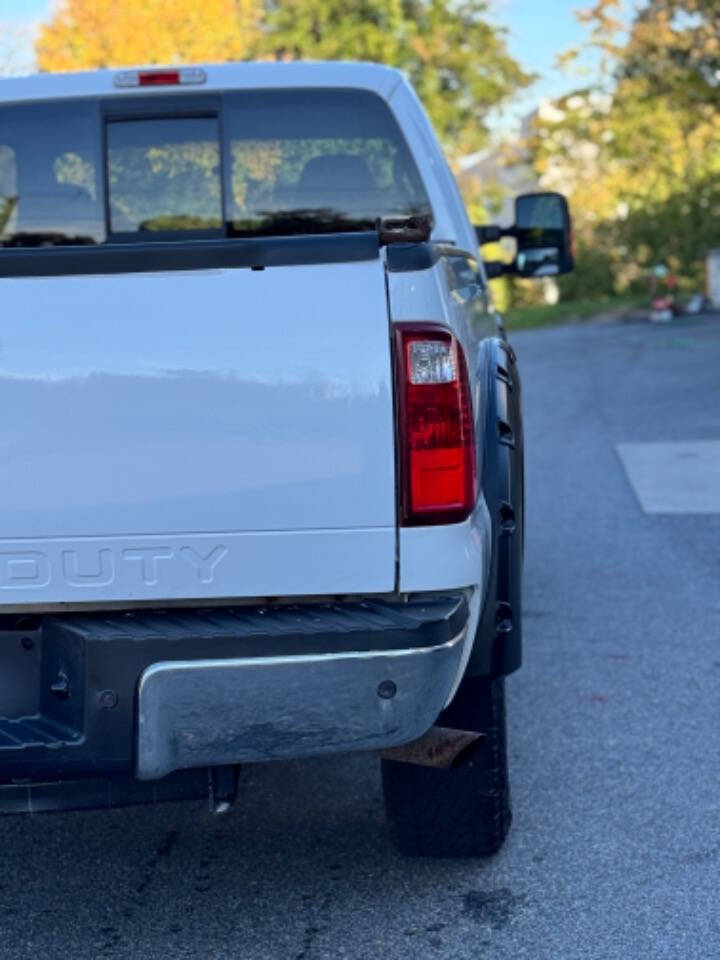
(200, 713)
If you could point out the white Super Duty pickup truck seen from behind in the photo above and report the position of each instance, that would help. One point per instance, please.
(261, 462)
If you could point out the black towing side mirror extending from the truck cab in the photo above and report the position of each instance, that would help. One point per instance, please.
(543, 233)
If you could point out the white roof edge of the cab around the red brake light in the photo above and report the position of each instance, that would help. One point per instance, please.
(226, 76)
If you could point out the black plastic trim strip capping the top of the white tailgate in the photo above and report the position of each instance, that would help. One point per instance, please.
(150, 257)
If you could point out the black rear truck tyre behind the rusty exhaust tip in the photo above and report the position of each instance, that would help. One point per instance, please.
(465, 811)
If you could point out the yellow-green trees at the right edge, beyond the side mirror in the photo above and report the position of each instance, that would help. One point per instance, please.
(640, 160)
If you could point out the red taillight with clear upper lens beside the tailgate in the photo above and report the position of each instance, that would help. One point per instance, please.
(436, 437)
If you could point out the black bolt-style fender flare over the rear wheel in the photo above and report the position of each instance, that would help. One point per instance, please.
(497, 649)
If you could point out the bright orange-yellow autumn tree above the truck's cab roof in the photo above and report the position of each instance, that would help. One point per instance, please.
(85, 34)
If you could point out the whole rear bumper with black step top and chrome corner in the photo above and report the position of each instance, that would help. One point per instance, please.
(112, 696)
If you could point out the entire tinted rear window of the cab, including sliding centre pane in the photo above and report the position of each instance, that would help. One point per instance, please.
(255, 163)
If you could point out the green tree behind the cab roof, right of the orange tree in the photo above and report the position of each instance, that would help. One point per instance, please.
(458, 62)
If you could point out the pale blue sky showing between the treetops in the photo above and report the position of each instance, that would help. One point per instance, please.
(538, 30)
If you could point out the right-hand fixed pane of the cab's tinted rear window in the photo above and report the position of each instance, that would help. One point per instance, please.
(317, 161)
